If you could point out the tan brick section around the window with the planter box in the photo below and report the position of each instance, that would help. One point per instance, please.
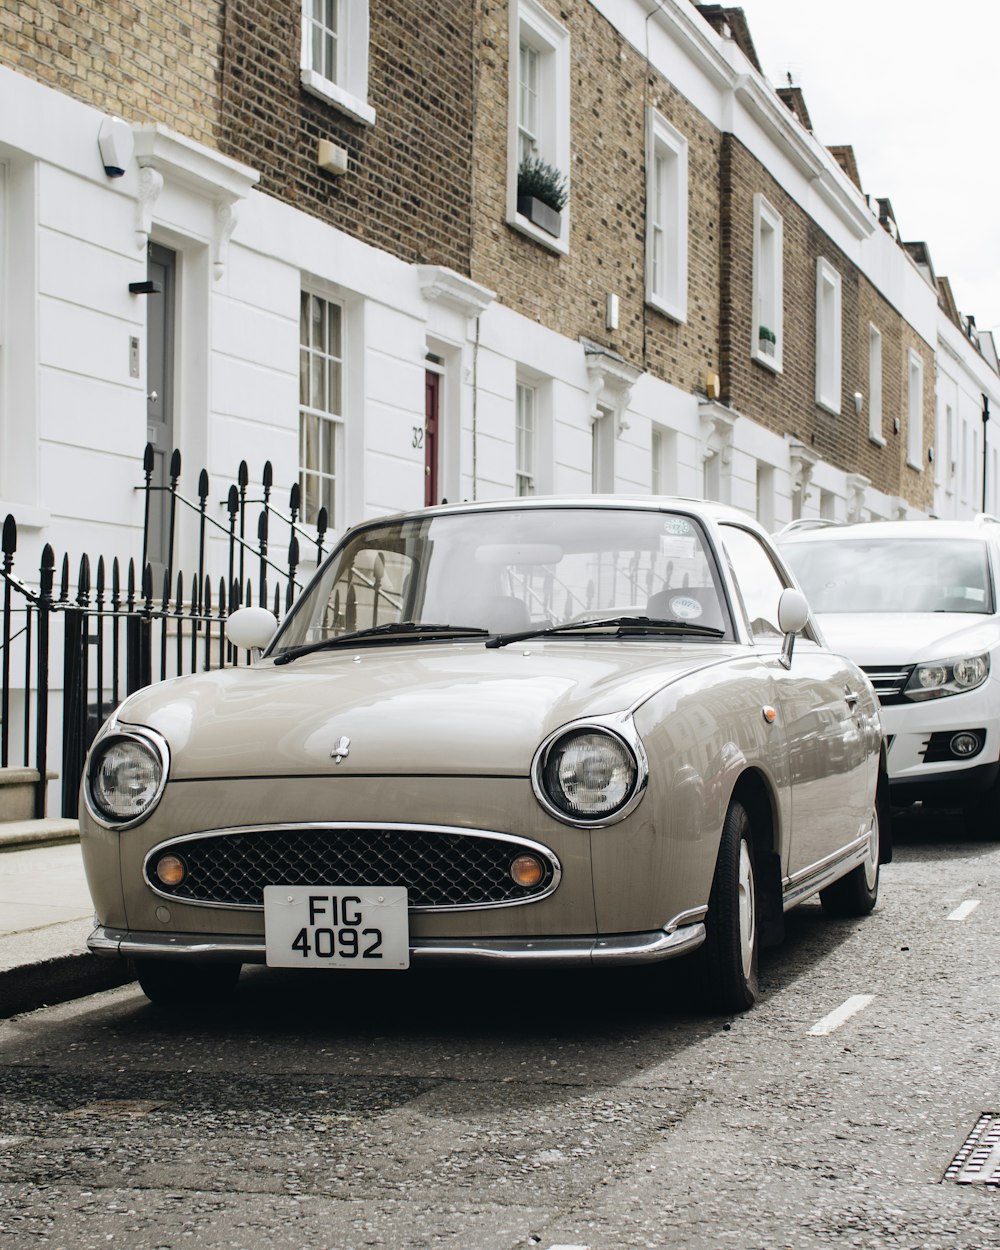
(609, 93)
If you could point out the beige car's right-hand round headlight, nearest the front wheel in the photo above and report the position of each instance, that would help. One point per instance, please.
(589, 774)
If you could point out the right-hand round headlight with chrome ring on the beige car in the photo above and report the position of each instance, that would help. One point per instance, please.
(589, 774)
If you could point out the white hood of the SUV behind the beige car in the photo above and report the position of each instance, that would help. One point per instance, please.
(907, 638)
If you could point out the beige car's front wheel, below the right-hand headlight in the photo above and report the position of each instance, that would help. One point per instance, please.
(728, 962)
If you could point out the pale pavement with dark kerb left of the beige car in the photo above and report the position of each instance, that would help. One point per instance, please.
(46, 918)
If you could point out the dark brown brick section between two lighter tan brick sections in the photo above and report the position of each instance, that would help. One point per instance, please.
(408, 187)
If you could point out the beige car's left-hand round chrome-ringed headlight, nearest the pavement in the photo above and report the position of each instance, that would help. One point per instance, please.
(126, 777)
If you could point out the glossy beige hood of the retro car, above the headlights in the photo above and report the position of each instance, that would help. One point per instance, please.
(427, 709)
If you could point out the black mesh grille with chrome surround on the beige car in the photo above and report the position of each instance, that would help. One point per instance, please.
(439, 869)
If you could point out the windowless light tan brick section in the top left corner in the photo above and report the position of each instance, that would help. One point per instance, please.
(146, 62)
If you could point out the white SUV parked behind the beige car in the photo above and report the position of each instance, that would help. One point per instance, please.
(916, 606)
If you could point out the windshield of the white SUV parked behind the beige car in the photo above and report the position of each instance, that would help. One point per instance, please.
(893, 576)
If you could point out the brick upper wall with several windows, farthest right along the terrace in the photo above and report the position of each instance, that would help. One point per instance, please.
(786, 403)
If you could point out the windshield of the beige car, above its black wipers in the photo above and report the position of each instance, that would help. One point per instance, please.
(507, 572)
